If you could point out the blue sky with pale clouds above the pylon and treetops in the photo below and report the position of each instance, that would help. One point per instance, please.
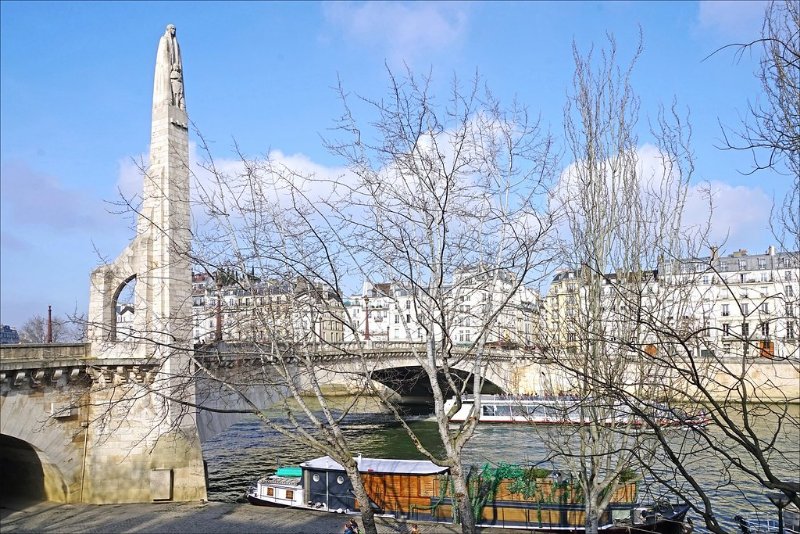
(76, 91)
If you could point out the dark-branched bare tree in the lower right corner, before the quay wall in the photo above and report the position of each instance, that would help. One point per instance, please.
(730, 350)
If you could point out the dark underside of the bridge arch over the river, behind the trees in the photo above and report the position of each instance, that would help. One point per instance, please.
(412, 384)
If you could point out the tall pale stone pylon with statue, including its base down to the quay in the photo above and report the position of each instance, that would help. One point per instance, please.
(143, 442)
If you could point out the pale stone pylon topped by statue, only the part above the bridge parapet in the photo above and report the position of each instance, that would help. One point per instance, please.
(157, 260)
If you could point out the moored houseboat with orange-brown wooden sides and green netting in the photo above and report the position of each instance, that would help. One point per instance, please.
(508, 496)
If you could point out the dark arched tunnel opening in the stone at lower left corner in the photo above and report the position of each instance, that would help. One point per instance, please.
(24, 479)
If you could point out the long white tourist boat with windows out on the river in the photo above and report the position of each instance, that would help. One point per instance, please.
(556, 410)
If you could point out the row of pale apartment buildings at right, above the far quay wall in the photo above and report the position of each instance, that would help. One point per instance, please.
(729, 306)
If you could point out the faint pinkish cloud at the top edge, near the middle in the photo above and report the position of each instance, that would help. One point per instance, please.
(403, 31)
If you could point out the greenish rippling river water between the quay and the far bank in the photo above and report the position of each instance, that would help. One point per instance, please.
(248, 450)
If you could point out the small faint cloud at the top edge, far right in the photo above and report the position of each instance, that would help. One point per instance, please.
(732, 19)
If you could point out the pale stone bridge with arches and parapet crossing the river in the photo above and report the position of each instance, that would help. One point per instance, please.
(72, 425)
